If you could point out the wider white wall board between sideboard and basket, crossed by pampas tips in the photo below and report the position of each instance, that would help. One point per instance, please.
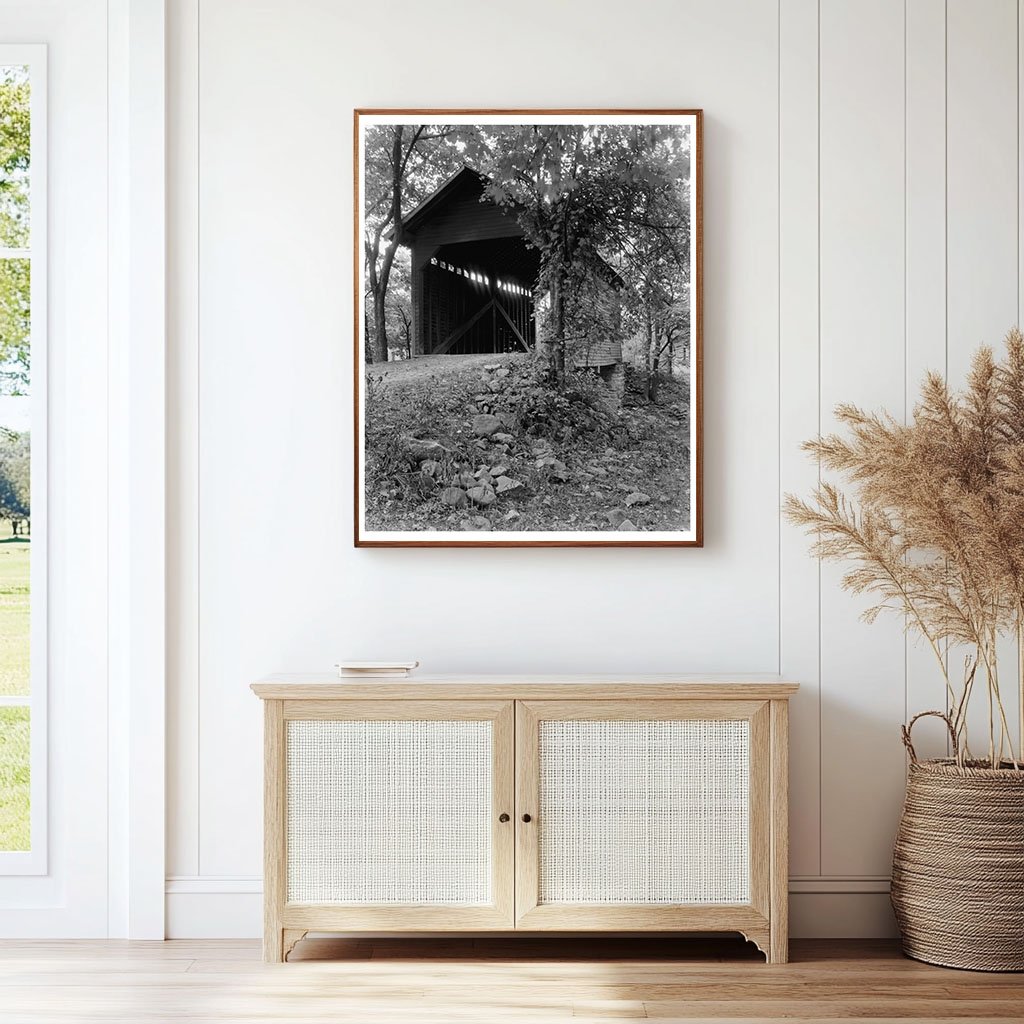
(863, 361)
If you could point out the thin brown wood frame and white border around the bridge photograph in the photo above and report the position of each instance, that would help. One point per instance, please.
(489, 540)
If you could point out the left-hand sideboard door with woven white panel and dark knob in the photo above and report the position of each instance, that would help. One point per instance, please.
(393, 815)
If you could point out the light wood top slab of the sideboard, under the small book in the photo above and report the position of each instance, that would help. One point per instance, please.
(320, 687)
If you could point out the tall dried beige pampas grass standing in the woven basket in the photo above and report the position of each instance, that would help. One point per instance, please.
(936, 532)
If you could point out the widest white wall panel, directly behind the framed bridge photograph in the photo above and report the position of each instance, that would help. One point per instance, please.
(281, 587)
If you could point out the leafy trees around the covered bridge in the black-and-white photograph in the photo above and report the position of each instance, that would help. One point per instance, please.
(606, 206)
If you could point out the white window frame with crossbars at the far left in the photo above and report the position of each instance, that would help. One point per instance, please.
(35, 861)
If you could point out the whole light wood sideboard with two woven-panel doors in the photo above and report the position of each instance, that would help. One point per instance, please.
(526, 804)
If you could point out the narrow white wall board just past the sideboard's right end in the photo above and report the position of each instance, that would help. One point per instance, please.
(799, 410)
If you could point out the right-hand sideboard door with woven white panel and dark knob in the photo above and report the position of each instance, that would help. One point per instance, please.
(643, 816)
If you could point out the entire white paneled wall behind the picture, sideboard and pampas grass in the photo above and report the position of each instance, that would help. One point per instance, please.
(857, 164)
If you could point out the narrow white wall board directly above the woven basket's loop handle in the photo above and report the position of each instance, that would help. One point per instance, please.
(926, 281)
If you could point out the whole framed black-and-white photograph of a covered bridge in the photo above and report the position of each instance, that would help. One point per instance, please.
(528, 336)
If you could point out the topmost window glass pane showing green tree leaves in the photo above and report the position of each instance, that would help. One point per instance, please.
(15, 152)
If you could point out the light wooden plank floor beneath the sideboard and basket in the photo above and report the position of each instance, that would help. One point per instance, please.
(488, 980)
